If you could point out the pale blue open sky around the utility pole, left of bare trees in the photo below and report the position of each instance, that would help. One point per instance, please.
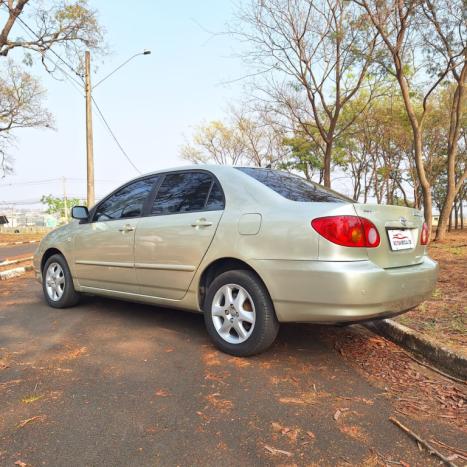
(152, 104)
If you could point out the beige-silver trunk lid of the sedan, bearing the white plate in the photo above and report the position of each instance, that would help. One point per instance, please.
(403, 225)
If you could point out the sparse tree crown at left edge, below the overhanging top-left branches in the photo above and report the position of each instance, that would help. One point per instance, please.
(21, 106)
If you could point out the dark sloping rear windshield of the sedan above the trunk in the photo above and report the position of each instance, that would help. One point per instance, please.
(293, 187)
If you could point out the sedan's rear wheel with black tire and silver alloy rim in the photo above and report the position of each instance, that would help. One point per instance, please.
(239, 314)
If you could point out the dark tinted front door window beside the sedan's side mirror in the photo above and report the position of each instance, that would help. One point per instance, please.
(127, 202)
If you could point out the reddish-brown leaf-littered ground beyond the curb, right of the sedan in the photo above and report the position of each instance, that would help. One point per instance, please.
(444, 316)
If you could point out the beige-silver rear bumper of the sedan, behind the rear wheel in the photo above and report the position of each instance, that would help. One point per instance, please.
(341, 292)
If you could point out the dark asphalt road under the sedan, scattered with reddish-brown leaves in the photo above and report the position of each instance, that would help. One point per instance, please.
(110, 383)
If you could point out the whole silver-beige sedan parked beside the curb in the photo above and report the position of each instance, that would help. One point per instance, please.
(248, 247)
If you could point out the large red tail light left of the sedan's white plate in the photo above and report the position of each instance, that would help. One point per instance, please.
(350, 231)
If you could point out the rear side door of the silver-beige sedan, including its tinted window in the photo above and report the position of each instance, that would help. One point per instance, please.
(173, 237)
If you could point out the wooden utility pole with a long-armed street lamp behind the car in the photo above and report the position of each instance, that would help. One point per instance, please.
(89, 134)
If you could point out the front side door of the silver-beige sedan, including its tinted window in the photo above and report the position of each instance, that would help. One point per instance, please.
(104, 247)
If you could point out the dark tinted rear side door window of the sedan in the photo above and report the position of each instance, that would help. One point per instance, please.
(182, 192)
